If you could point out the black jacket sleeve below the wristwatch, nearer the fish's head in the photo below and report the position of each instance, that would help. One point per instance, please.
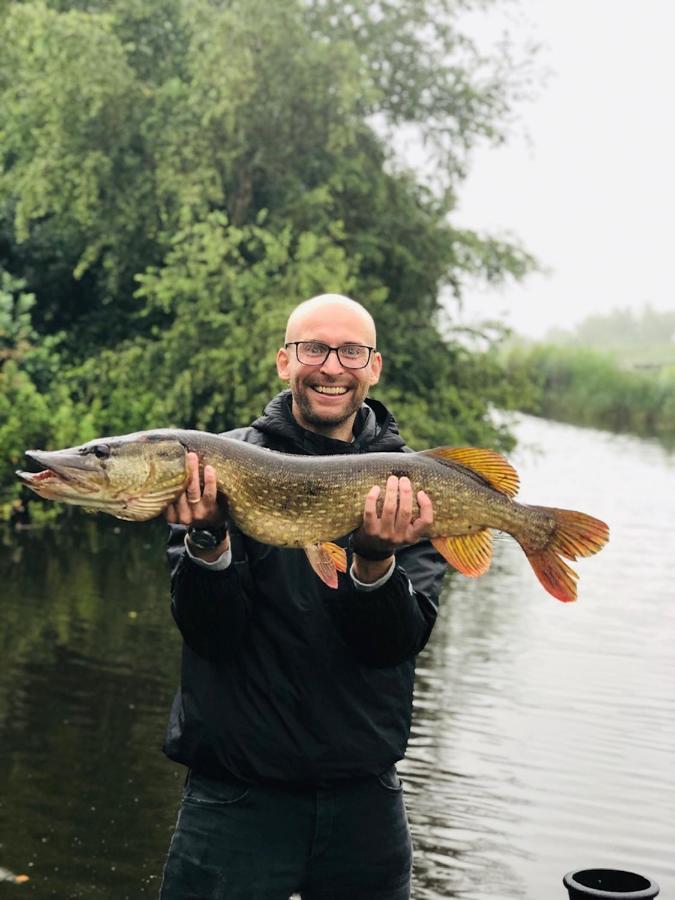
(210, 608)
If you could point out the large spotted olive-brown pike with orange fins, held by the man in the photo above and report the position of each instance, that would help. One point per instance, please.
(311, 501)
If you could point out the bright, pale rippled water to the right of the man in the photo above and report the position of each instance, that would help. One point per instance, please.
(545, 733)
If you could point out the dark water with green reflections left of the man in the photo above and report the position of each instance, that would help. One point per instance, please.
(88, 668)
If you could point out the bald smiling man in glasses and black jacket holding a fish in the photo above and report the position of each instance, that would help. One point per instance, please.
(295, 699)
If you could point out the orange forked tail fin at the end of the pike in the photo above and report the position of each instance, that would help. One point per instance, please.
(576, 534)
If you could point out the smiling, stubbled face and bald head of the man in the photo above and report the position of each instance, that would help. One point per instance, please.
(326, 398)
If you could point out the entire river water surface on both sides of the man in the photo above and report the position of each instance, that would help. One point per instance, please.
(544, 732)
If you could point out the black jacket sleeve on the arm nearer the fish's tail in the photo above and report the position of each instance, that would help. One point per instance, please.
(386, 626)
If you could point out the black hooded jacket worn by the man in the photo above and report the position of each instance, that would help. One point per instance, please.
(283, 678)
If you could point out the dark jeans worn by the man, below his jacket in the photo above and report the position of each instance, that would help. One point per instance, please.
(236, 841)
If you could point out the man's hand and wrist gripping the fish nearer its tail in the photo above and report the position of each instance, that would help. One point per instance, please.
(394, 527)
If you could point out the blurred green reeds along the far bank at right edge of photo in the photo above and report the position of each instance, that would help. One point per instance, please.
(588, 387)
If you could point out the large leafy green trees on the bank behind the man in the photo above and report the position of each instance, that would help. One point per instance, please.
(174, 178)
